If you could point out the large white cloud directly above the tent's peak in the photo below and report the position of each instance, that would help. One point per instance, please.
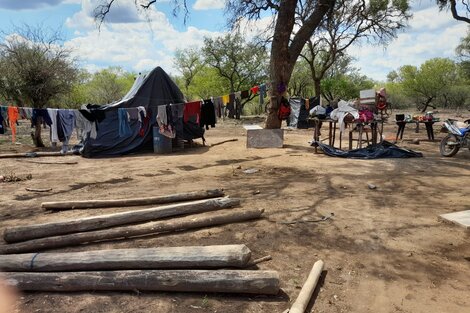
(135, 46)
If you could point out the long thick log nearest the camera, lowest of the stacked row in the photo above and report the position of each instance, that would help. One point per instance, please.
(227, 281)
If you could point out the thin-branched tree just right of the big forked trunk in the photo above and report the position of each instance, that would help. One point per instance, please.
(351, 21)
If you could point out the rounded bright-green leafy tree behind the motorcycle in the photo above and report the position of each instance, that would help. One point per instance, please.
(433, 80)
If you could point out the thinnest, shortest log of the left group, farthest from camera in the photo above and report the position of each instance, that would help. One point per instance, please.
(88, 204)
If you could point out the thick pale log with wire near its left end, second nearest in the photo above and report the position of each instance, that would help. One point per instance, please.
(189, 257)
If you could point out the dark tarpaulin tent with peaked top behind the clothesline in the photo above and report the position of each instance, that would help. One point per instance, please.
(149, 91)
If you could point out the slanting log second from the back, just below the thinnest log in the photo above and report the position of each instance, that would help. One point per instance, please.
(23, 233)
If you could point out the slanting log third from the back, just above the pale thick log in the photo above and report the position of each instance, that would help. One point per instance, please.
(178, 224)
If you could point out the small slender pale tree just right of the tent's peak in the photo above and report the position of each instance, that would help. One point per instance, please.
(188, 62)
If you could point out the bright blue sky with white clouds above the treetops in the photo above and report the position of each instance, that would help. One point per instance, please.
(138, 41)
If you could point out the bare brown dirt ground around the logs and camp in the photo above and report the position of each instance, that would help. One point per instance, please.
(385, 250)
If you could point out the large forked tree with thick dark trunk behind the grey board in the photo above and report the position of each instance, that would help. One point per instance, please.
(286, 44)
